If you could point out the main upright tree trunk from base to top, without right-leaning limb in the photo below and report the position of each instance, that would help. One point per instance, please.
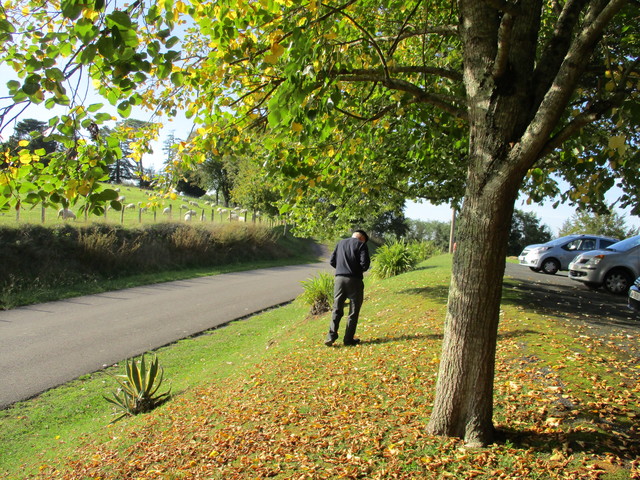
(498, 93)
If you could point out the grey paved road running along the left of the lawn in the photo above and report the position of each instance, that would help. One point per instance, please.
(45, 345)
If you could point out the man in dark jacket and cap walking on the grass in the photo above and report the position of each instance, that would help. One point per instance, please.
(350, 259)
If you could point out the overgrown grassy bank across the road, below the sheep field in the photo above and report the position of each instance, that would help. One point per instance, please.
(48, 263)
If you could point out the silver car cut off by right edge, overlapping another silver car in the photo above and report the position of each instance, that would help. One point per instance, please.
(614, 268)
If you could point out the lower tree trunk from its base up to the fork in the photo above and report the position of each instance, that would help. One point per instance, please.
(464, 392)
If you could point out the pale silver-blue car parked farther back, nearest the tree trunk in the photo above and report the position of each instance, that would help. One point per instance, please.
(557, 254)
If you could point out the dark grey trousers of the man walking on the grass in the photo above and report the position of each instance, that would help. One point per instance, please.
(351, 288)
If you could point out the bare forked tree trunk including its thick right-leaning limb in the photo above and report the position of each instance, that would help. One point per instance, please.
(510, 122)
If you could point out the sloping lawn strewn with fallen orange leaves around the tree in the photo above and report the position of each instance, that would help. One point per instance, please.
(264, 397)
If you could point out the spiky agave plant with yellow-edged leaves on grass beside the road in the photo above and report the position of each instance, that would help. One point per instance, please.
(138, 387)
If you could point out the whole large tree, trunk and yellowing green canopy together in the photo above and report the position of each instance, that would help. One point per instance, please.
(361, 104)
